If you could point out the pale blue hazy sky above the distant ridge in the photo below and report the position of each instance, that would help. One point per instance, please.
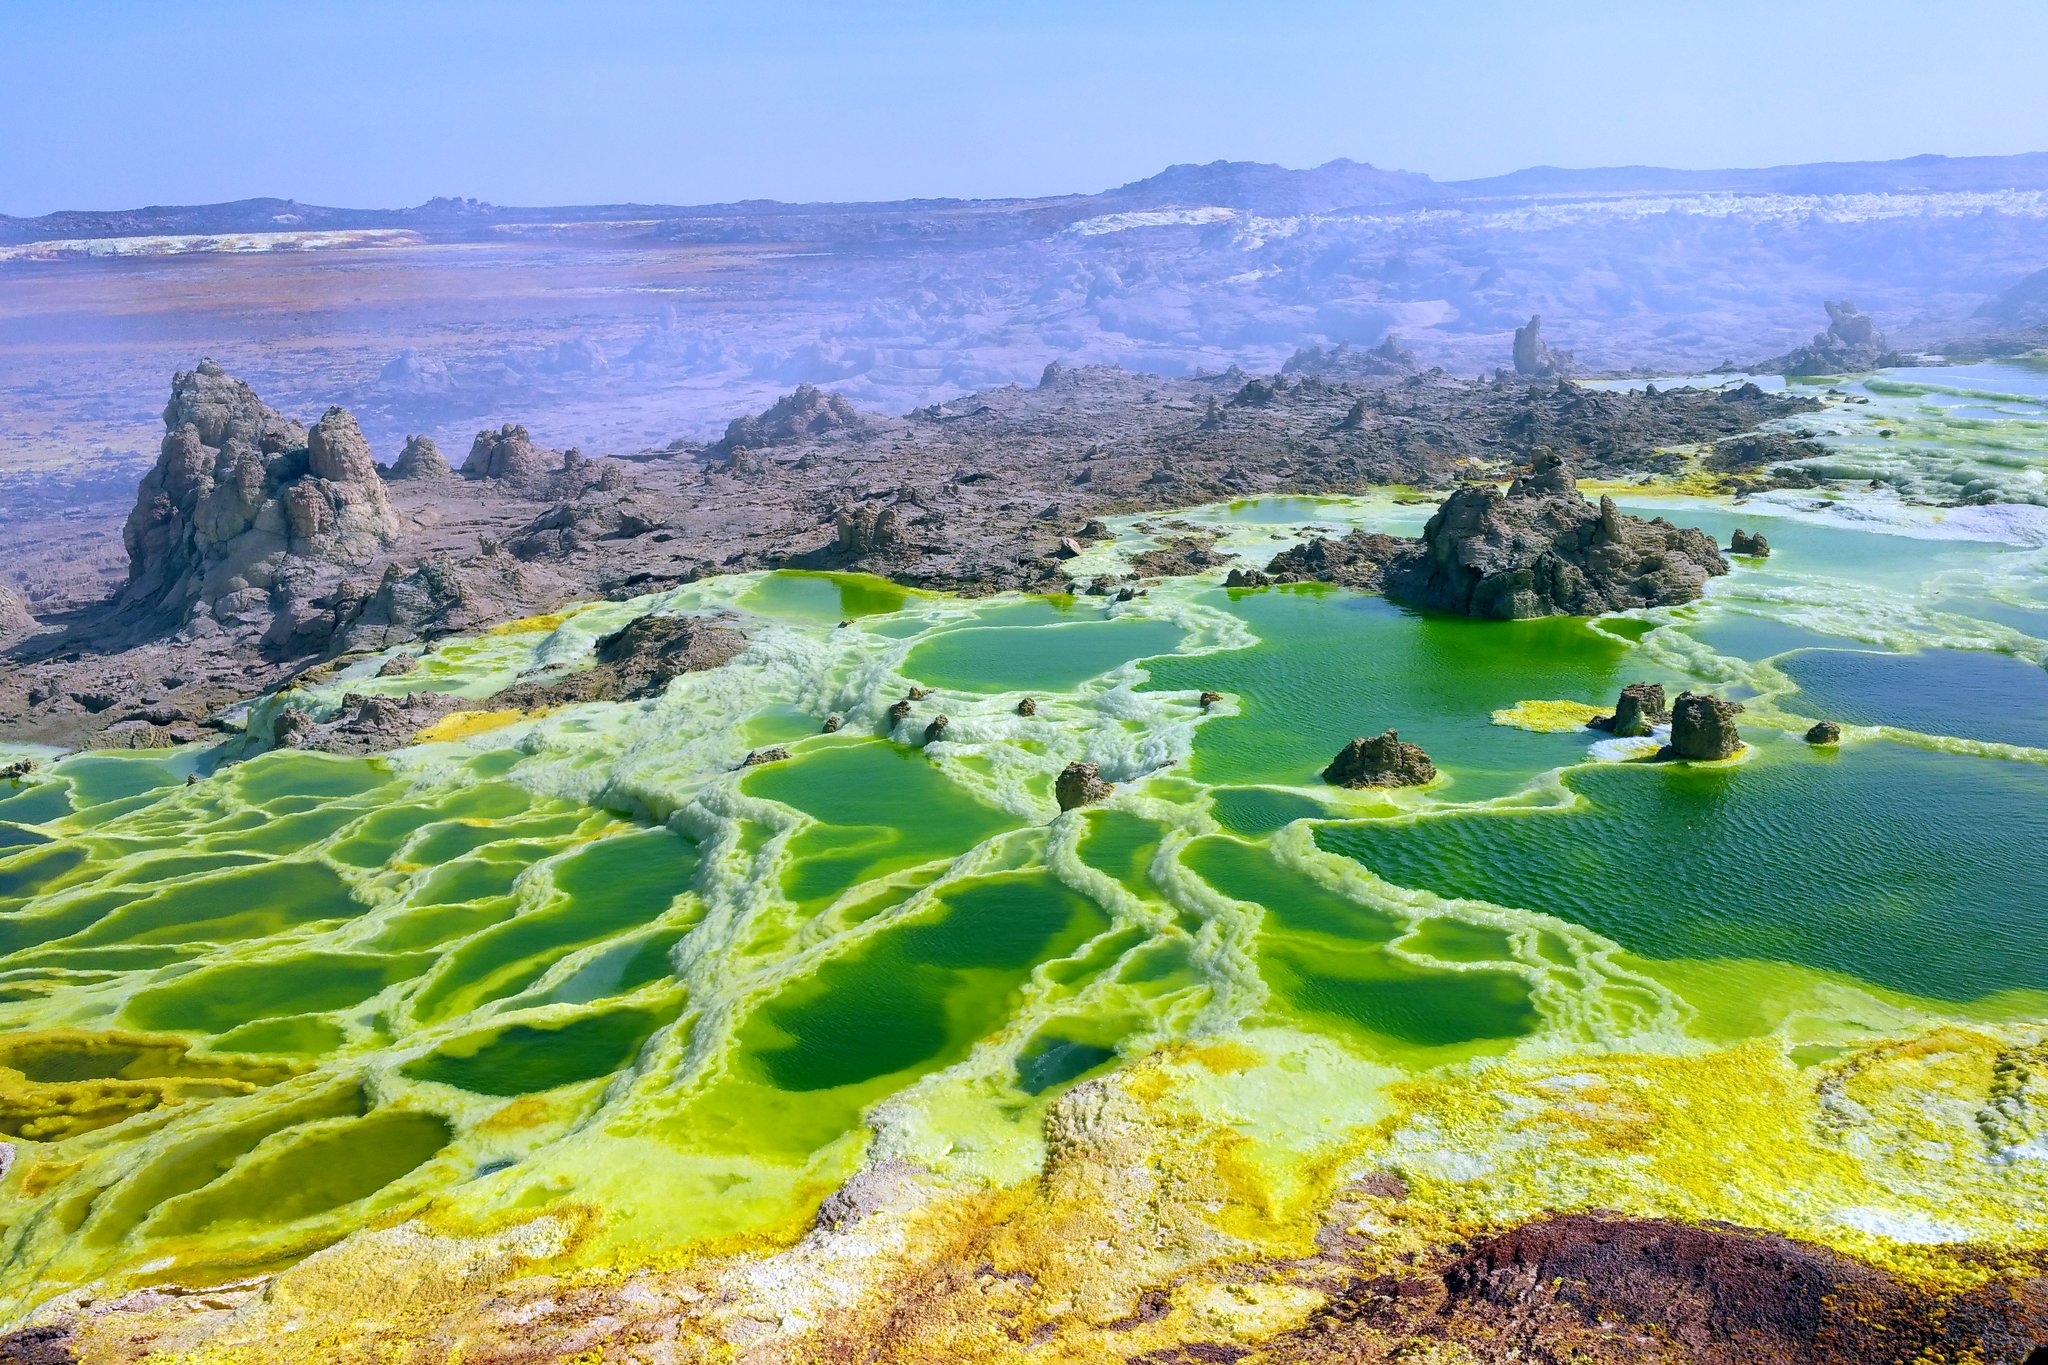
(118, 103)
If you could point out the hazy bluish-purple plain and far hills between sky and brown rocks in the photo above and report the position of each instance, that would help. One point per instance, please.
(622, 328)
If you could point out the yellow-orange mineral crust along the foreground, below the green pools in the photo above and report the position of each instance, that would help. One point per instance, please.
(1158, 1221)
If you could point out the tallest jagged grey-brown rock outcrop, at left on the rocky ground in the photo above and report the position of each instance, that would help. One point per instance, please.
(247, 517)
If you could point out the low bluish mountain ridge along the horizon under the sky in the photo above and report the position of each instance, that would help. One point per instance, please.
(1252, 187)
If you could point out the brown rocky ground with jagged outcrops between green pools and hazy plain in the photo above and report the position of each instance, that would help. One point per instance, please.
(259, 547)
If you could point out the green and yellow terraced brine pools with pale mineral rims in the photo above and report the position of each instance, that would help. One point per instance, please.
(589, 961)
